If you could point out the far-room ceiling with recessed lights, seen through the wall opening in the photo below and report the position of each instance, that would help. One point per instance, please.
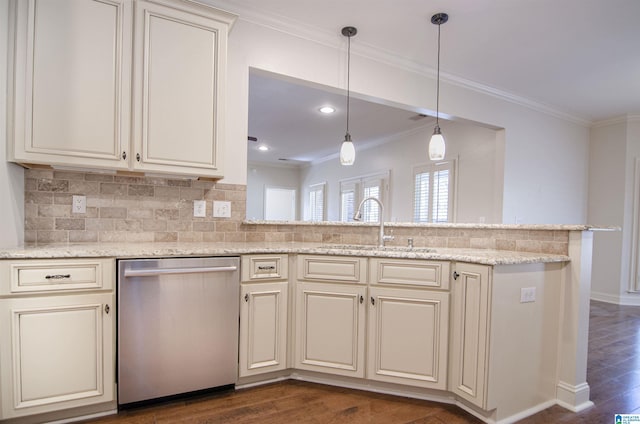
(295, 132)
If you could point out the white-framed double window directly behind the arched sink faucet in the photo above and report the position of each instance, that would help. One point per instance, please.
(352, 192)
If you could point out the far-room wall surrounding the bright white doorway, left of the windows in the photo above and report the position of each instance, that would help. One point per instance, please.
(260, 177)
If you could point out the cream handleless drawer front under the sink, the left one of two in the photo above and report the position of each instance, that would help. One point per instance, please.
(332, 268)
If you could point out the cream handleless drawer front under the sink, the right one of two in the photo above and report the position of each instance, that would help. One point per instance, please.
(410, 272)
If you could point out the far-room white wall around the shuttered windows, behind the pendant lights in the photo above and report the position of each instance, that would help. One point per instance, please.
(473, 146)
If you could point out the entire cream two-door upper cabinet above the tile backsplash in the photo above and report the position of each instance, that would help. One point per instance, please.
(118, 84)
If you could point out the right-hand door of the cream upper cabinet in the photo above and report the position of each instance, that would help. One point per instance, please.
(179, 82)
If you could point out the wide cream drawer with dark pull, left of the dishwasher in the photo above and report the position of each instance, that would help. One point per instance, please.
(29, 276)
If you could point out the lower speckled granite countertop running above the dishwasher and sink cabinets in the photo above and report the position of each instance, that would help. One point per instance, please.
(149, 250)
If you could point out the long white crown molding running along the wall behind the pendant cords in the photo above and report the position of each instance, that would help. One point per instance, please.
(317, 35)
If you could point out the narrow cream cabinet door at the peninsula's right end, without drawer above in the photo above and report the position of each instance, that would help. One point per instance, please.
(469, 361)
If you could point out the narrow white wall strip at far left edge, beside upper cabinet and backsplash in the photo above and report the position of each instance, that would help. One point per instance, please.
(11, 176)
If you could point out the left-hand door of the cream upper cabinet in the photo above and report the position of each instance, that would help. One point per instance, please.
(71, 72)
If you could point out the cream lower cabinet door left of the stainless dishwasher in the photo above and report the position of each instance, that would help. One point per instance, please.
(57, 353)
